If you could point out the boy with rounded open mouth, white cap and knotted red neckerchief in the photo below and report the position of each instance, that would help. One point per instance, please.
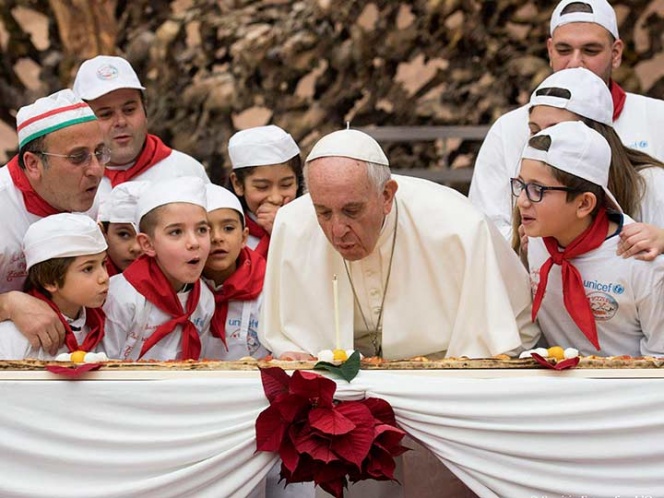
(158, 308)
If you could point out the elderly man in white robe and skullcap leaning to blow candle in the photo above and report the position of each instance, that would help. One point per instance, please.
(419, 270)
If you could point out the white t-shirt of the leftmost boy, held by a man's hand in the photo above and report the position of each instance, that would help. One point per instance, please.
(14, 345)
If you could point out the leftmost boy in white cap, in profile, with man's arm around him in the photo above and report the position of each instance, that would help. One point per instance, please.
(65, 256)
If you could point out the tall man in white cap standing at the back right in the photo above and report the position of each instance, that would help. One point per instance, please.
(583, 34)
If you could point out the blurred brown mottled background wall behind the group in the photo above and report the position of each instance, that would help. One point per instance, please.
(213, 67)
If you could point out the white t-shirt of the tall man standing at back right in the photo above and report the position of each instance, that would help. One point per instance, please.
(639, 126)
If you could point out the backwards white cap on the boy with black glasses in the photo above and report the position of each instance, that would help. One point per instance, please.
(579, 150)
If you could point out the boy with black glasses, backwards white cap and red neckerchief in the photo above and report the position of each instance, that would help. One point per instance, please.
(613, 305)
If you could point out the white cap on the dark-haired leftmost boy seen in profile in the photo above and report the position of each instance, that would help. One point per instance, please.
(60, 236)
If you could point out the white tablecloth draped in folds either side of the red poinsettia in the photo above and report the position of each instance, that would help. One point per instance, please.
(516, 437)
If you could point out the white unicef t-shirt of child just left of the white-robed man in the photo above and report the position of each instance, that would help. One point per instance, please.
(241, 331)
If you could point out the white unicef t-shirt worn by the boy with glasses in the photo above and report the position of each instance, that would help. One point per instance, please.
(625, 294)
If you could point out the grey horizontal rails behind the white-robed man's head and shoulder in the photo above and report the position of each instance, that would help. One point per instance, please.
(445, 176)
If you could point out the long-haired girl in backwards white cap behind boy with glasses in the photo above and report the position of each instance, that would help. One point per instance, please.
(636, 178)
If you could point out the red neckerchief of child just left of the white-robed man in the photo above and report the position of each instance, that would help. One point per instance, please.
(245, 284)
